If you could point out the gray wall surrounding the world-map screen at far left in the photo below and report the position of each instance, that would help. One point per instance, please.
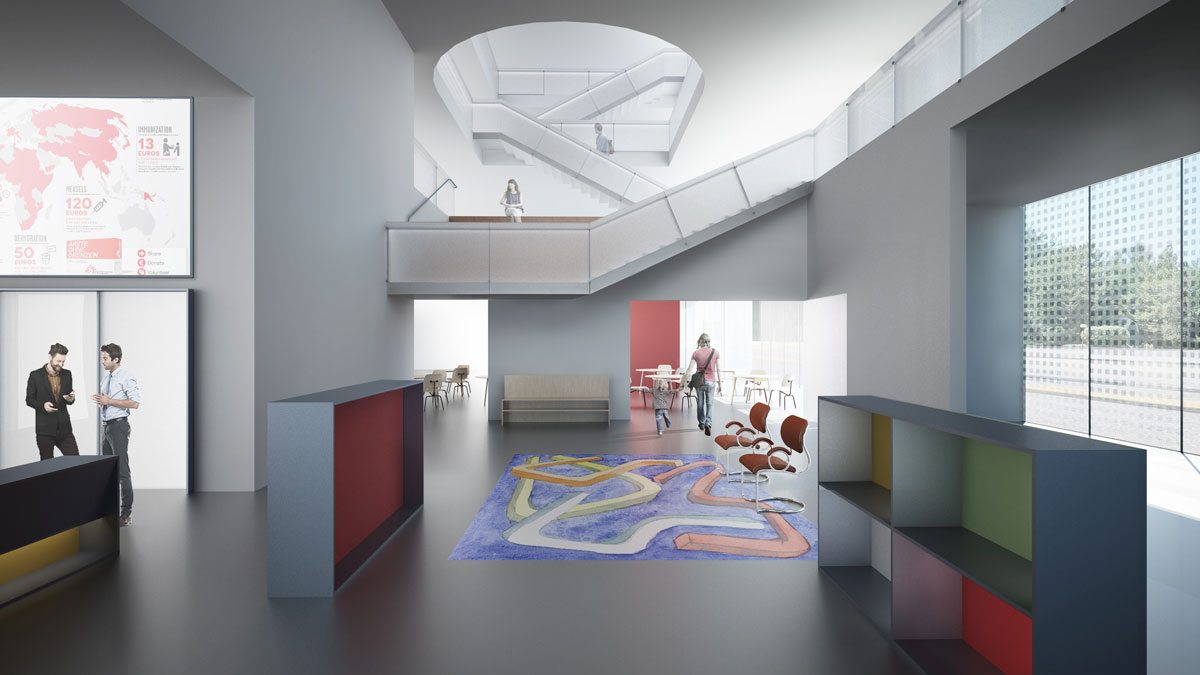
(51, 49)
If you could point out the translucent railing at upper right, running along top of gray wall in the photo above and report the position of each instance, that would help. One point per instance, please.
(963, 37)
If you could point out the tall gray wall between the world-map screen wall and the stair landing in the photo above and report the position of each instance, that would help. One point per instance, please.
(333, 86)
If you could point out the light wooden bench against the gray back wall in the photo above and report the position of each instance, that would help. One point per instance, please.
(555, 398)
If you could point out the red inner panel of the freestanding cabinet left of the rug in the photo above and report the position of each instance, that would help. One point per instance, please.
(369, 468)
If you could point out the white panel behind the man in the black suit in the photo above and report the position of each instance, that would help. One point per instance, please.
(29, 324)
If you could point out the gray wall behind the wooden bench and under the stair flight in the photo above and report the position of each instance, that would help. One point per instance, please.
(763, 260)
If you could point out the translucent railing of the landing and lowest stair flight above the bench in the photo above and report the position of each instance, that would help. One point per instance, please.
(577, 259)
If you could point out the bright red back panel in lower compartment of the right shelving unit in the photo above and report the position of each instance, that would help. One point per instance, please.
(1003, 635)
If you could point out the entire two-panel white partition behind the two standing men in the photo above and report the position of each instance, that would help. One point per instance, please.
(153, 330)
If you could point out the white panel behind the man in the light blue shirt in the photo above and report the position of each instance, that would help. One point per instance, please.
(152, 331)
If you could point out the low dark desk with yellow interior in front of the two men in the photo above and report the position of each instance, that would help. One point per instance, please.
(61, 517)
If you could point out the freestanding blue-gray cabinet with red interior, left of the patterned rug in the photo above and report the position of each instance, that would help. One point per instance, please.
(346, 470)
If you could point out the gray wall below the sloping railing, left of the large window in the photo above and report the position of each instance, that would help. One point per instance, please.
(889, 225)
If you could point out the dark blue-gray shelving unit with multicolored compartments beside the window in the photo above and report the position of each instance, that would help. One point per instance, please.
(985, 547)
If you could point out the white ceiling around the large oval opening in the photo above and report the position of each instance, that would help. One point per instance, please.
(772, 68)
